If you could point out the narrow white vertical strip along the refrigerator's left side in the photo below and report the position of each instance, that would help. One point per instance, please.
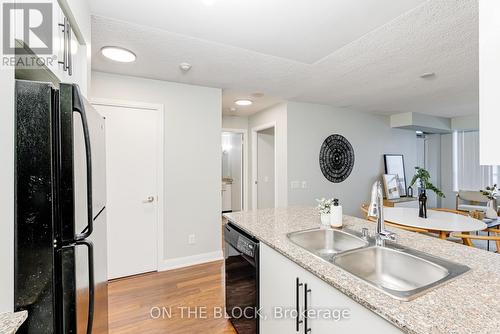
(7, 189)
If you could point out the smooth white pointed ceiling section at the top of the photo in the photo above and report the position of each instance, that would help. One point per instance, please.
(298, 30)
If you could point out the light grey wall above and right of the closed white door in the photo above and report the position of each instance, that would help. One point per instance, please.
(192, 158)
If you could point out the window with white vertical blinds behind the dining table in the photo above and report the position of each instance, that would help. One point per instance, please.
(468, 174)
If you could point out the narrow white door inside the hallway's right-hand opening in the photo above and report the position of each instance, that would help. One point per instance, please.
(265, 169)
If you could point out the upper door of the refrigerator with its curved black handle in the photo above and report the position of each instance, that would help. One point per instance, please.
(83, 164)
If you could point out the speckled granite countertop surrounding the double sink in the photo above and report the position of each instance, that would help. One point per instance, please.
(467, 304)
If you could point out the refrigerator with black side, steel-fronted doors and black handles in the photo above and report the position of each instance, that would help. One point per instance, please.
(60, 253)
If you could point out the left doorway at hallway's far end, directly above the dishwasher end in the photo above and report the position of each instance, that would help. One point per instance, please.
(233, 170)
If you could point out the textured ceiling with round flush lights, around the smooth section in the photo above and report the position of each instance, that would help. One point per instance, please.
(377, 72)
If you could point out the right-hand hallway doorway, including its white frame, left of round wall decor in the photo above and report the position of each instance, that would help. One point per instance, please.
(264, 167)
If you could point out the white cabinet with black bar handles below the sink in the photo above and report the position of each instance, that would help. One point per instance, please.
(279, 302)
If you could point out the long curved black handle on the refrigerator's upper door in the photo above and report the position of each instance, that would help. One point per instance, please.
(78, 107)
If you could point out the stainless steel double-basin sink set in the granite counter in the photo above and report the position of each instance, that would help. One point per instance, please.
(398, 271)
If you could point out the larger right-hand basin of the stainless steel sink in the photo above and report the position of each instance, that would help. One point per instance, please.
(399, 272)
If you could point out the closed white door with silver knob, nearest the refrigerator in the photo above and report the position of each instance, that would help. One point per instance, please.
(132, 187)
